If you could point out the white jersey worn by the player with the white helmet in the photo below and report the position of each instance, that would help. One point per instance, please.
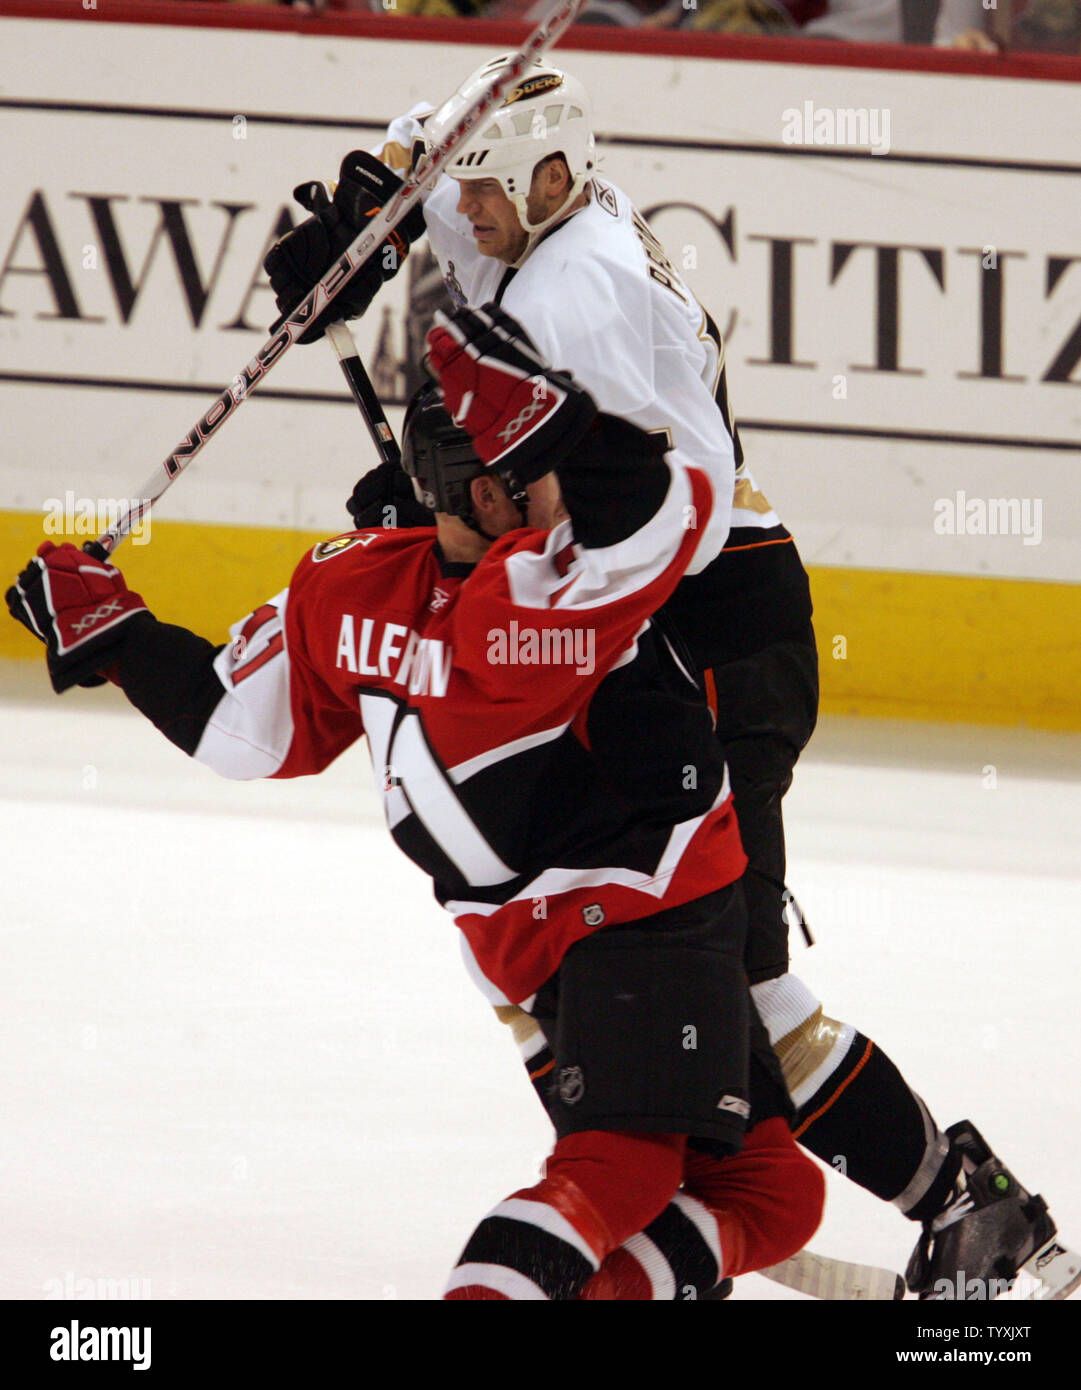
(601, 300)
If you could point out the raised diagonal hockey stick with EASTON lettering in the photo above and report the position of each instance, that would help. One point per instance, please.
(554, 27)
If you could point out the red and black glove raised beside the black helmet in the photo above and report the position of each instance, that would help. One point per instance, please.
(522, 416)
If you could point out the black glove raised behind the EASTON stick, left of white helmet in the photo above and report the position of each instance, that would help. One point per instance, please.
(302, 258)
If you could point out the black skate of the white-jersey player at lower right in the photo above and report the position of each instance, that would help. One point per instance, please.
(989, 1231)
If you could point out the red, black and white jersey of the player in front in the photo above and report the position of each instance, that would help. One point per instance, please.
(541, 751)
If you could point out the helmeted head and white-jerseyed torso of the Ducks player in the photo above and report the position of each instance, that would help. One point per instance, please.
(523, 220)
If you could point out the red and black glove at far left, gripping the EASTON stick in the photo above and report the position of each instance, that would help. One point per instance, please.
(79, 607)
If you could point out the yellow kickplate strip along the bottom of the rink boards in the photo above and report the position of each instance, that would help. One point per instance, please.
(891, 644)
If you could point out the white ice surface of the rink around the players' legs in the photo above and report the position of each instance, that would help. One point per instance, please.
(240, 1056)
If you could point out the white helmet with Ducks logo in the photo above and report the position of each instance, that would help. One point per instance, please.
(545, 113)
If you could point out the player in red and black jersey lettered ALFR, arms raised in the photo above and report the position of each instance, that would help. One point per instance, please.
(500, 675)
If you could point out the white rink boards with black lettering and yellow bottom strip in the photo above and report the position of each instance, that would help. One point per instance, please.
(904, 319)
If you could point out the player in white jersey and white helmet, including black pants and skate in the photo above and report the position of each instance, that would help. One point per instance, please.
(523, 219)
